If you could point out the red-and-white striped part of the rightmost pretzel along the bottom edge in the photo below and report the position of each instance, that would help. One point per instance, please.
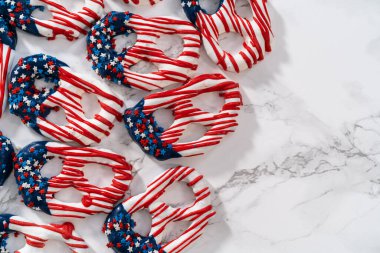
(198, 213)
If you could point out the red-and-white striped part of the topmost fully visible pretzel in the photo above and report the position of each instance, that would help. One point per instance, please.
(170, 71)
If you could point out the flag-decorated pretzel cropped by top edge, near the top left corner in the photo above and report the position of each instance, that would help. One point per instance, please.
(63, 23)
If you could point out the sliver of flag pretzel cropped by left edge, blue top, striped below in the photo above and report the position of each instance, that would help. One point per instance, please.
(8, 40)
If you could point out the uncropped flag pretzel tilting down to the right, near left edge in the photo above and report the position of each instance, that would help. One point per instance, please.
(33, 105)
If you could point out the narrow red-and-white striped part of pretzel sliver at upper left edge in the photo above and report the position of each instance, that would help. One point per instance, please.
(6, 54)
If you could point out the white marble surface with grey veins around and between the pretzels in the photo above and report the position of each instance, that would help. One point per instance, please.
(301, 174)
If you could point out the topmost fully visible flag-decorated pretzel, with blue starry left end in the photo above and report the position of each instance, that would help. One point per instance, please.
(116, 67)
